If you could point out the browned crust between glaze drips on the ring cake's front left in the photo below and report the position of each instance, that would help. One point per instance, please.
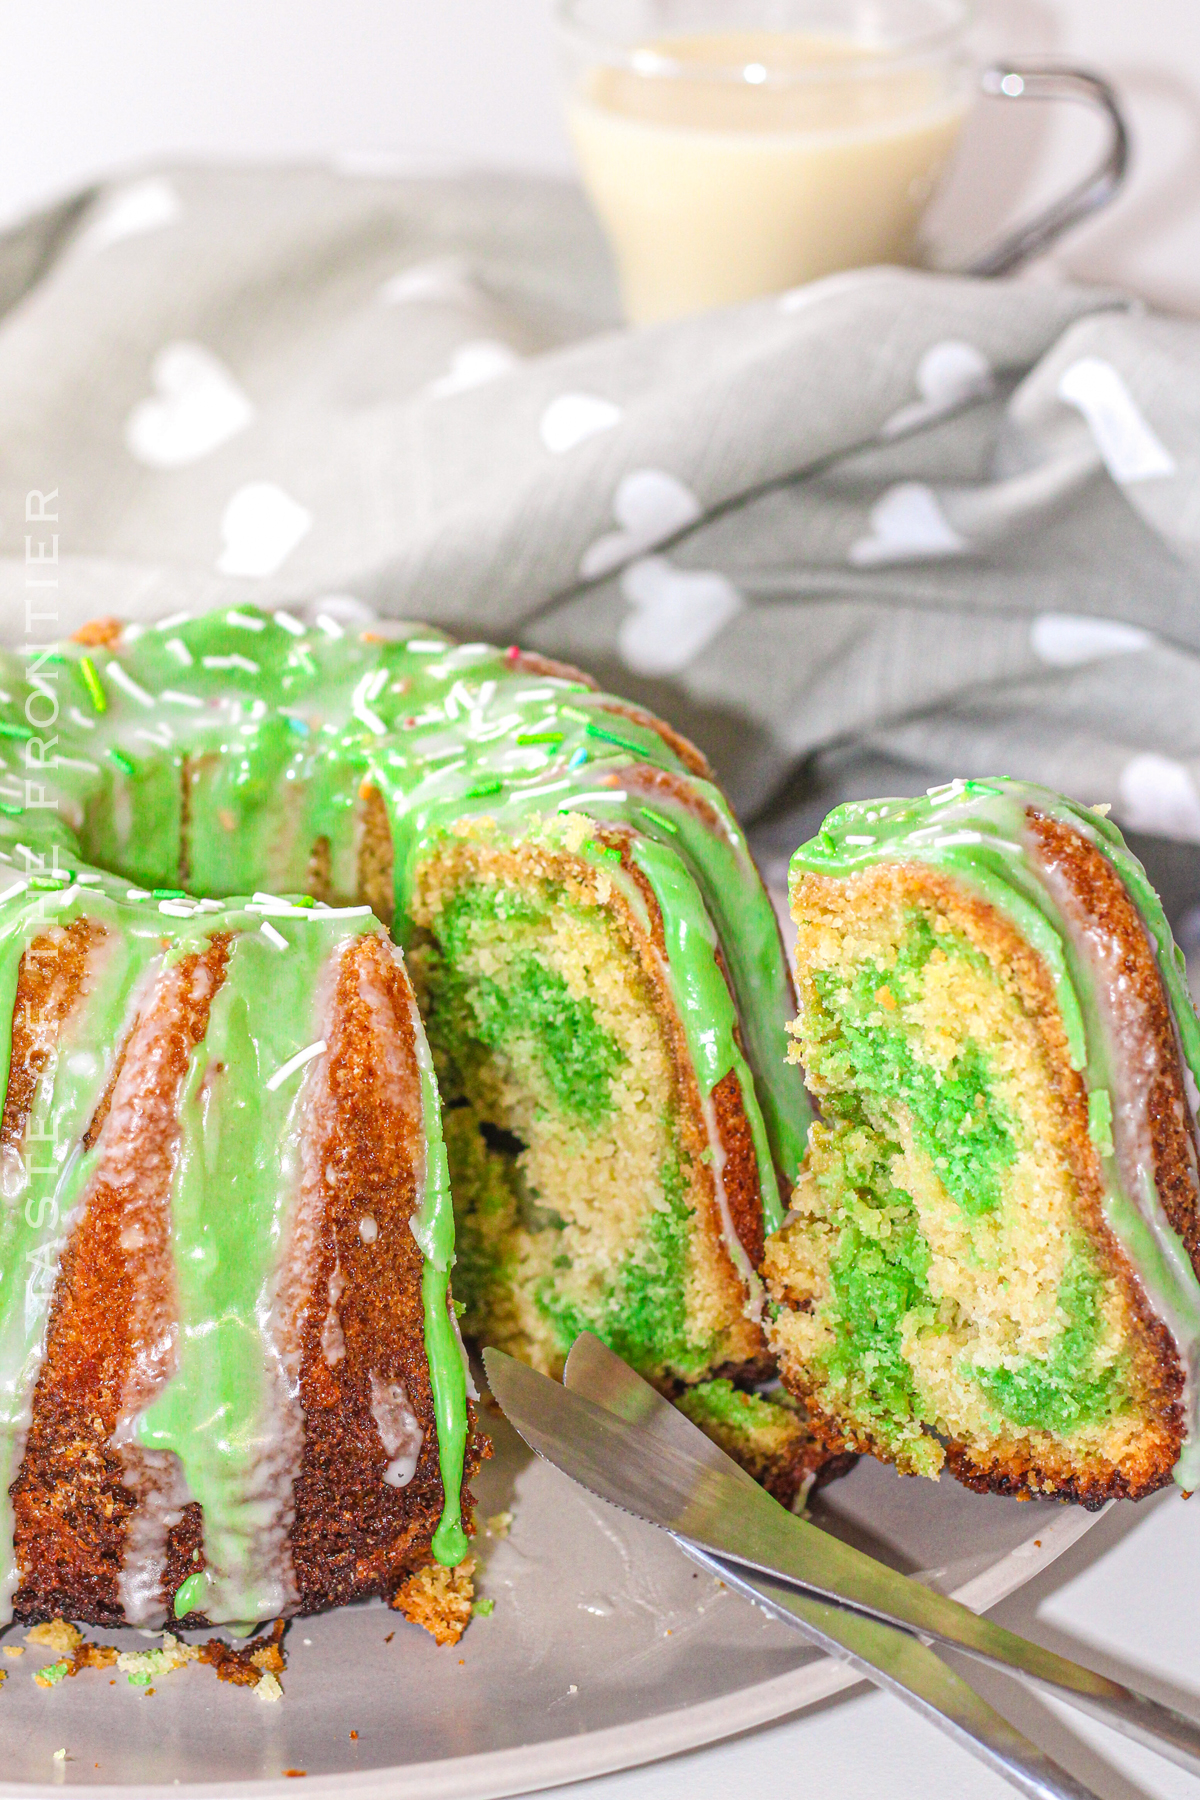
(112, 1317)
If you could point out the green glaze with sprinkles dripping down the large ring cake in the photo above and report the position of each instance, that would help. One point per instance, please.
(273, 728)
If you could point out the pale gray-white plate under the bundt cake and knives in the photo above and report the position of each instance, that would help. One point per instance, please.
(605, 1650)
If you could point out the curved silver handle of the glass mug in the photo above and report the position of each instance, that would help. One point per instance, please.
(1048, 82)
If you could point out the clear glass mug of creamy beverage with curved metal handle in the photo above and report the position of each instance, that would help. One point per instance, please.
(735, 148)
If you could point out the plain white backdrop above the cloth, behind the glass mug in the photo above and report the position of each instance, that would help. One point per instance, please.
(89, 87)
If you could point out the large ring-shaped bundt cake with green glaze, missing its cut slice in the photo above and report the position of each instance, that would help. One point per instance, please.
(229, 1372)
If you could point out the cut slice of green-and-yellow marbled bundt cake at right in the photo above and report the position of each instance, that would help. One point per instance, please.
(992, 1254)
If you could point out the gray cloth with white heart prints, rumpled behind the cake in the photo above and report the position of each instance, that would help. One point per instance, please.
(879, 530)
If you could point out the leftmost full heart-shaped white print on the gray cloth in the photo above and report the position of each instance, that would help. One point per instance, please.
(195, 409)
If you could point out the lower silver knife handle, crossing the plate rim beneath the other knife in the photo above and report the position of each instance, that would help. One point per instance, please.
(902, 1666)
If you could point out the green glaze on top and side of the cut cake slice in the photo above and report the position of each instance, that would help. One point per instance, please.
(980, 834)
